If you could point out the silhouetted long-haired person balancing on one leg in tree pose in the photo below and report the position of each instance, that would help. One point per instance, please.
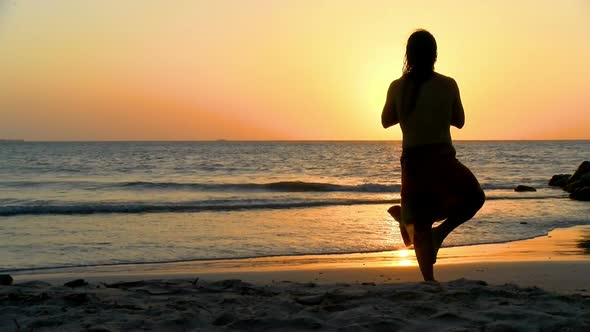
(435, 185)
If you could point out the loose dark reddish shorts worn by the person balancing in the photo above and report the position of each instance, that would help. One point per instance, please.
(435, 184)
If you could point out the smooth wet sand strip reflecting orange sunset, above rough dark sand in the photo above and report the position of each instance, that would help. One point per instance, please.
(563, 248)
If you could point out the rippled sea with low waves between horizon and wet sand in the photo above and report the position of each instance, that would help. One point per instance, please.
(73, 204)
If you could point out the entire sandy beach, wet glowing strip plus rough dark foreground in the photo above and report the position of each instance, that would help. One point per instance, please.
(535, 284)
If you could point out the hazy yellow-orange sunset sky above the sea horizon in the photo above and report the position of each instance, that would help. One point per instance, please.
(283, 69)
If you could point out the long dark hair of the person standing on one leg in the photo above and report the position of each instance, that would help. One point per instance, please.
(418, 67)
